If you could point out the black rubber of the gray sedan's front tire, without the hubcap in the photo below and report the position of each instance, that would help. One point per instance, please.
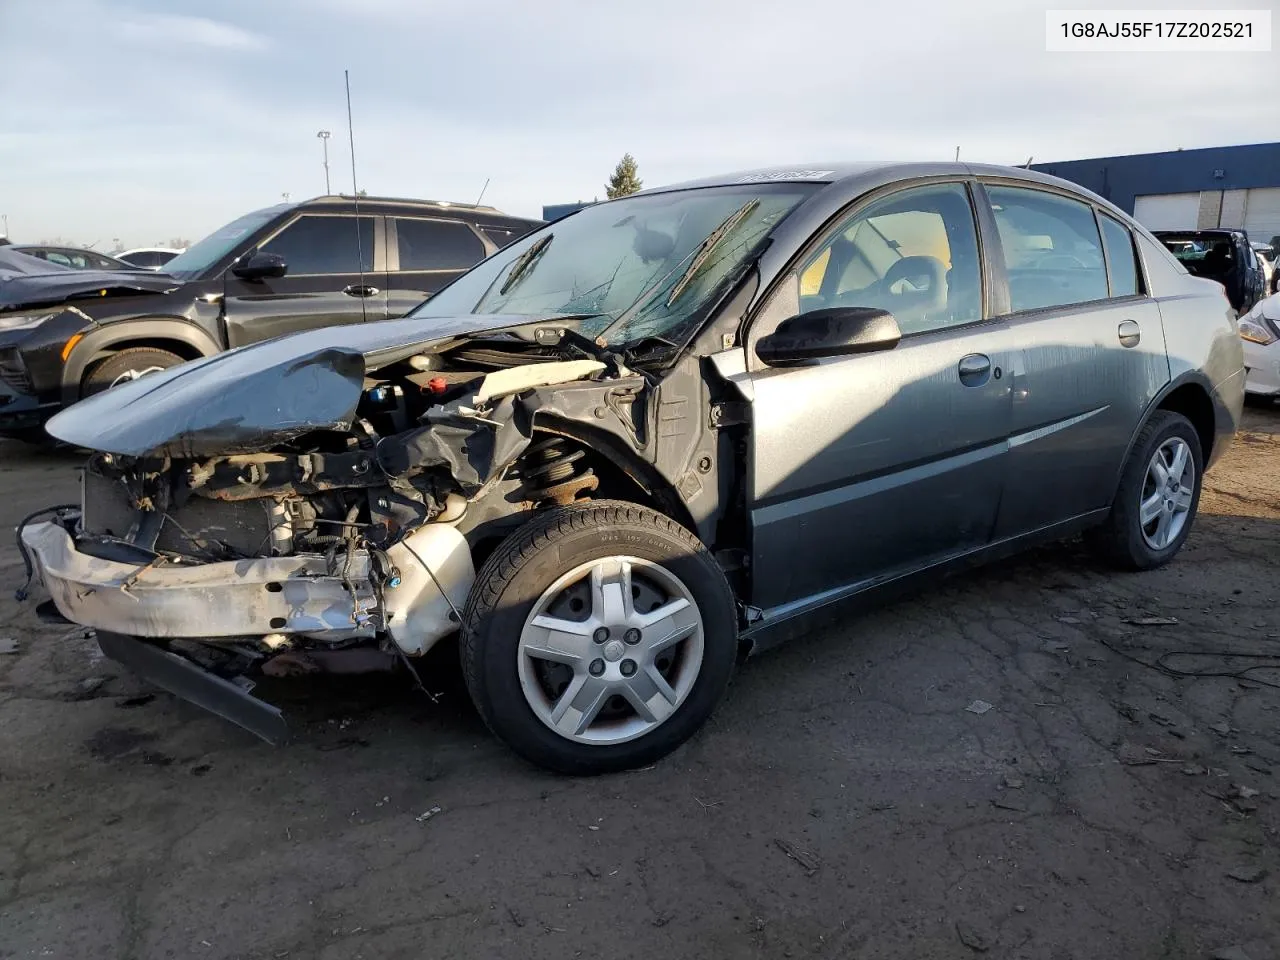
(525, 565)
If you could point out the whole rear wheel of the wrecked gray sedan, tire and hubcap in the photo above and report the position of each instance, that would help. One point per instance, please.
(1158, 499)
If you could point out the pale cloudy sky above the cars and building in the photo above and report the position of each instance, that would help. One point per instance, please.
(144, 121)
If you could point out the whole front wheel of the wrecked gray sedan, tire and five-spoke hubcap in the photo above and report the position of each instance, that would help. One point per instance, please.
(598, 638)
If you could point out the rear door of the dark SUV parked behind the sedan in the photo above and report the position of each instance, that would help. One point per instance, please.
(428, 253)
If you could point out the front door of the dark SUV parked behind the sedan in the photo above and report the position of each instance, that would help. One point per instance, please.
(324, 285)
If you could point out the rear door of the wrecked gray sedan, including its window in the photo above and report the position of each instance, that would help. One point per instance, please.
(1091, 351)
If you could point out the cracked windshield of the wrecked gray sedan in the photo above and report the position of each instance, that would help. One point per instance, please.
(643, 267)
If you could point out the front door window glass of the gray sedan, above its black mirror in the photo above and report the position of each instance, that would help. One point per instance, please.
(913, 254)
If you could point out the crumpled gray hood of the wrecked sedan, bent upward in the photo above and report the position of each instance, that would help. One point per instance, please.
(255, 397)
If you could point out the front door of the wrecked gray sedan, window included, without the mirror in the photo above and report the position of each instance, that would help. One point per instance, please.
(866, 467)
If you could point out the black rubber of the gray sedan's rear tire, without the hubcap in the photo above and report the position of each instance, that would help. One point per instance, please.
(1121, 541)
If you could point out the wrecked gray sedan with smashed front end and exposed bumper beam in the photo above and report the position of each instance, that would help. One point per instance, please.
(648, 440)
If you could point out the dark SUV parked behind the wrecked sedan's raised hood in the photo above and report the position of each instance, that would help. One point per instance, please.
(272, 272)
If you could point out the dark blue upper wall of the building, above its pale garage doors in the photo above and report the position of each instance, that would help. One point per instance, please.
(1122, 179)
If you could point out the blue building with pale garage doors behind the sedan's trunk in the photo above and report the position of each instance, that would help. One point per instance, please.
(1236, 188)
